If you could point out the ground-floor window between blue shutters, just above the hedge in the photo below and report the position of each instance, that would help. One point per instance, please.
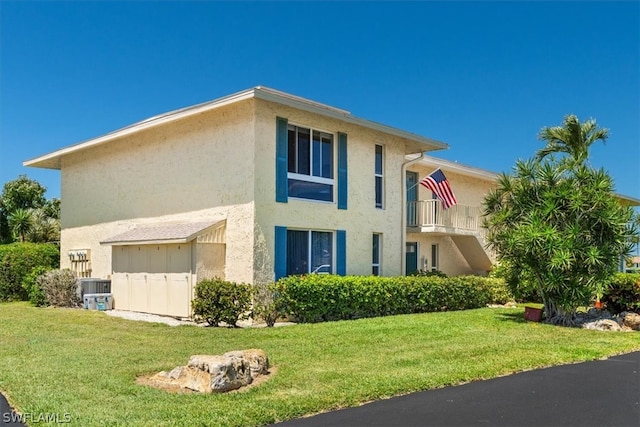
(309, 252)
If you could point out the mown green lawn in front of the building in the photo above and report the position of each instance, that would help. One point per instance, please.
(85, 363)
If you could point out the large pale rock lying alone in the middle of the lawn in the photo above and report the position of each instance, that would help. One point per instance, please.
(215, 373)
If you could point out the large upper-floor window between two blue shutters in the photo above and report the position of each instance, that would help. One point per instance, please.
(310, 164)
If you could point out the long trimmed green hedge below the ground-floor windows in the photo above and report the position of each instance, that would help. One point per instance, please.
(317, 298)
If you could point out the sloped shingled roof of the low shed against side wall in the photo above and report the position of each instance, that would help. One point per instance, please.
(161, 234)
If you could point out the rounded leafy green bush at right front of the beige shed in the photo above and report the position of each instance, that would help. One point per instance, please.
(220, 301)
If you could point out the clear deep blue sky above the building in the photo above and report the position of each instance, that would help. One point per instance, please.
(483, 77)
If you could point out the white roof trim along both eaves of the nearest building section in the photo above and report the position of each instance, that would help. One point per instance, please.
(52, 160)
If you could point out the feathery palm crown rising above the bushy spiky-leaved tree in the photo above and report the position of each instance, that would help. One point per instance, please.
(573, 138)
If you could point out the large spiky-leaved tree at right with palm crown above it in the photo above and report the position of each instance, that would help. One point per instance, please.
(557, 222)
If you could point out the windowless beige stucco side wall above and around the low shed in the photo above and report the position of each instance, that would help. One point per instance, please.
(197, 169)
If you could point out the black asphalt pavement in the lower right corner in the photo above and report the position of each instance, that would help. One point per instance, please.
(599, 393)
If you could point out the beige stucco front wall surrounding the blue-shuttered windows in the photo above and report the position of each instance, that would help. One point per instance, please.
(360, 220)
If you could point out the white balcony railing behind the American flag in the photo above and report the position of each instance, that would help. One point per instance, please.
(429, 213)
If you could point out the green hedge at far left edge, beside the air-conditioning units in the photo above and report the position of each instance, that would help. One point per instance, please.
(17, 260)
